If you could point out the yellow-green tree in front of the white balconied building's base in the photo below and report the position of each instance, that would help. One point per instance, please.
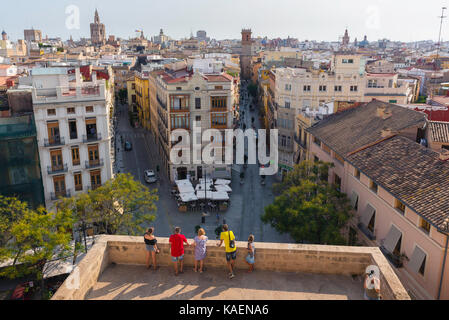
(120, 206)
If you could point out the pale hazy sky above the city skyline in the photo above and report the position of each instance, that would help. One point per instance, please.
(405, 20)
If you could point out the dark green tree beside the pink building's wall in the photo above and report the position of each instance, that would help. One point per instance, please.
(308, 207)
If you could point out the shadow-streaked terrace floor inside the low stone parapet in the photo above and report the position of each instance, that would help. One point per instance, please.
(130, 282)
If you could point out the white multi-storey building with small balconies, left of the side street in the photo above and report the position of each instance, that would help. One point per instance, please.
(74, 129)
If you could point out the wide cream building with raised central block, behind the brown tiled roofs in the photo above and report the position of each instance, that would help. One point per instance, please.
(346, 81)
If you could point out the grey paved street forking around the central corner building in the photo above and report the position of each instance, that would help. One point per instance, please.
(247, 201)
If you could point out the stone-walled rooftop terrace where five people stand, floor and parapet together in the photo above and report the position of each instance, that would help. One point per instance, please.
(114, 268)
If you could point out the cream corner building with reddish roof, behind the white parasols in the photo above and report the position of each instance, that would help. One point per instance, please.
(184, 97)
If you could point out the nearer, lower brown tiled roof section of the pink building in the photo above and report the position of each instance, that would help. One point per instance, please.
(412, 173)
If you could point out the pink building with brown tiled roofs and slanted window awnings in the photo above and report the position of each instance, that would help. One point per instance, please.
(397, 187)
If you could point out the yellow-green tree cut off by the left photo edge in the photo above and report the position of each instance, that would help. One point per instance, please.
(32, 237)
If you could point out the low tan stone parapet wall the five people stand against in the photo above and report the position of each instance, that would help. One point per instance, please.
(269, 256)
